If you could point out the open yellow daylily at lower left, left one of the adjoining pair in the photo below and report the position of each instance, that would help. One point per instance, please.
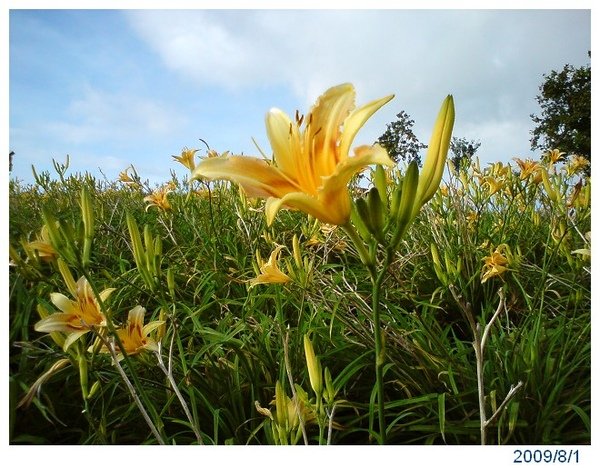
(77, 317)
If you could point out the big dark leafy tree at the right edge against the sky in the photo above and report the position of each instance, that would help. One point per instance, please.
(565, 121)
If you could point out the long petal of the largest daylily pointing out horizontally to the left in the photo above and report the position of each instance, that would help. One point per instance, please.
(258, 178)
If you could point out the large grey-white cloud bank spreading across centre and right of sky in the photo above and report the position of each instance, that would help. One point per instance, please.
(491, 60)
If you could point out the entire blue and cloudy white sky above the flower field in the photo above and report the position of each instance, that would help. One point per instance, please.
(113, 88)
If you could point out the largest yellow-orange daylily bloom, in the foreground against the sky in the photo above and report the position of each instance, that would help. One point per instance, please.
(311, 163)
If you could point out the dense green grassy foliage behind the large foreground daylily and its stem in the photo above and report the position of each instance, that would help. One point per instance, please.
(238, 354)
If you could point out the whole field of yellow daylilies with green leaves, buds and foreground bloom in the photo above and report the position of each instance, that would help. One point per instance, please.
(325, 295)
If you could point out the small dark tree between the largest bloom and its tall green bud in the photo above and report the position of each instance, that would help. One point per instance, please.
(400, 141)
